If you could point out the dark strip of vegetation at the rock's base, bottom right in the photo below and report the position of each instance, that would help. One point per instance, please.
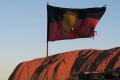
(108, 75)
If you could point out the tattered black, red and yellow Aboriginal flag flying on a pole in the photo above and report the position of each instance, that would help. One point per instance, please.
(69, 23)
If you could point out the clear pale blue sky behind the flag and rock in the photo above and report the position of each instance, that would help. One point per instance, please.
(23, 30)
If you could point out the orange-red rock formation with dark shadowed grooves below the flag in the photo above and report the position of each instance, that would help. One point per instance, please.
(61, 66)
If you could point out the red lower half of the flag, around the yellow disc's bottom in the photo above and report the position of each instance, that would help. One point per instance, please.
(83, 28)
